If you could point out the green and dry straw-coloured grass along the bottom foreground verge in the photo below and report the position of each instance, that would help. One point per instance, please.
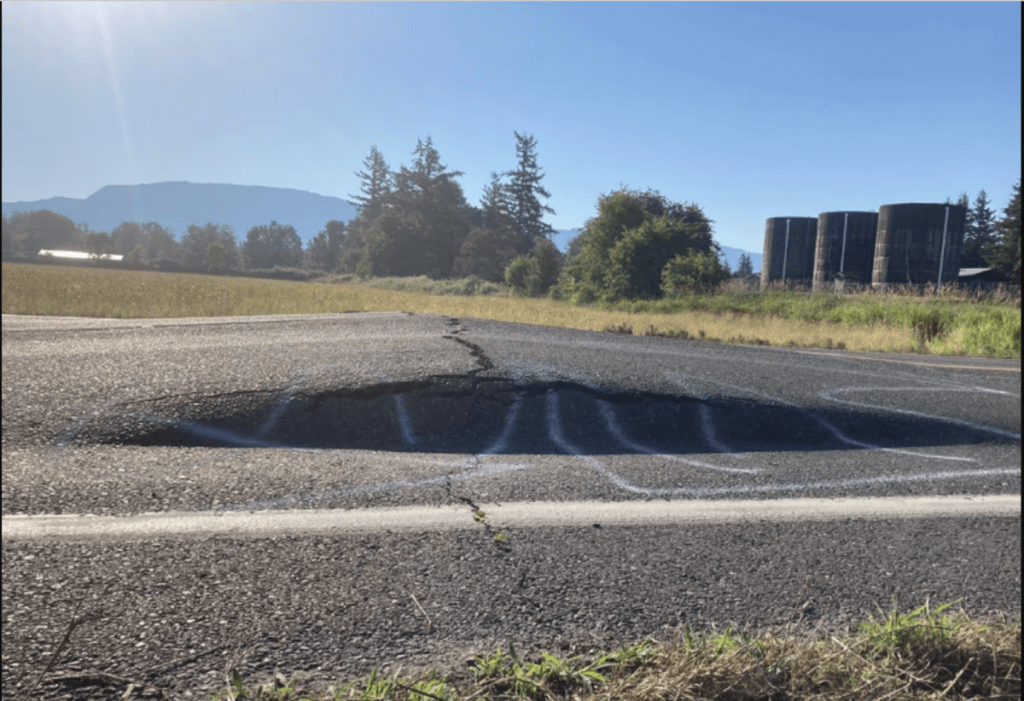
(925, 654)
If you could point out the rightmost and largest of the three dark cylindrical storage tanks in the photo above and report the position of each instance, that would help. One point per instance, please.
(918, 244)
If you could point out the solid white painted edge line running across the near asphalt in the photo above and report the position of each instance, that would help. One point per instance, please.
(520, 515)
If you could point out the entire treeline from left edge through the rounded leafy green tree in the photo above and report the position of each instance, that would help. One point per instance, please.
(416, 222)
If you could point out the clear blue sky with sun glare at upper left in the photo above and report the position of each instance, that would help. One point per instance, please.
(750, 110)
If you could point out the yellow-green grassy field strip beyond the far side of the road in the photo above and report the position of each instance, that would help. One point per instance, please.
(855, 323)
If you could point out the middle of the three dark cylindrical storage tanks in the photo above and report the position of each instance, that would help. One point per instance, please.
(845, 249)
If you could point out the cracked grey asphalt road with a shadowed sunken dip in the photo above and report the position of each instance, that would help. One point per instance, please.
(373, 412)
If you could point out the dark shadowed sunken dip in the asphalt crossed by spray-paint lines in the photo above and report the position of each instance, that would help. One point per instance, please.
(480, 416)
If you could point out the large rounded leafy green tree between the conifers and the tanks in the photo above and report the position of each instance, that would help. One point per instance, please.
(627, 246)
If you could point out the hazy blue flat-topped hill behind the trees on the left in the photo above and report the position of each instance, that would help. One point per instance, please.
(177, 205)
